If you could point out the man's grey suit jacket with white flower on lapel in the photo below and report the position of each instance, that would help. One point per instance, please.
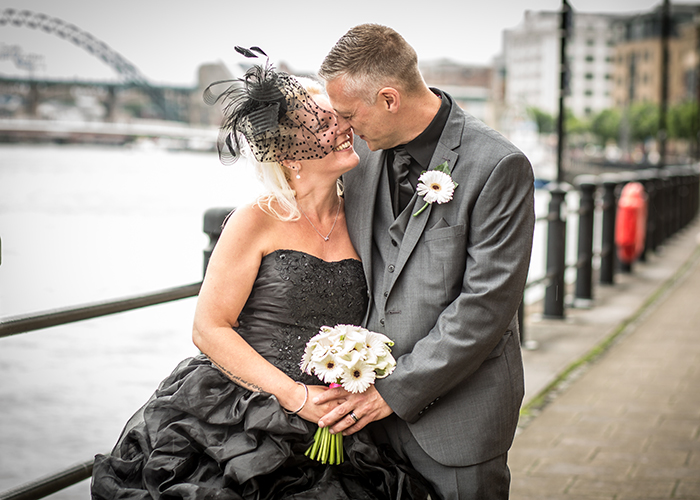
(450, 299)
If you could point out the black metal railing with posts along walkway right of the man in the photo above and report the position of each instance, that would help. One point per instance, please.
(672, 202)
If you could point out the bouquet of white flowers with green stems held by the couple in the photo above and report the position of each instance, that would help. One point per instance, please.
(347, 356)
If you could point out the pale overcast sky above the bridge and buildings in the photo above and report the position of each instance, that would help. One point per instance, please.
(167, 41)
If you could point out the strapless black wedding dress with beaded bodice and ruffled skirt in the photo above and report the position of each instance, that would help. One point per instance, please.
(201, 436)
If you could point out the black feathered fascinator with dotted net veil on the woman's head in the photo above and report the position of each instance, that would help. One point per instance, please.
(273, 113)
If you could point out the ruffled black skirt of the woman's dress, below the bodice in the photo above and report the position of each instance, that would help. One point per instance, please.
(201, 436)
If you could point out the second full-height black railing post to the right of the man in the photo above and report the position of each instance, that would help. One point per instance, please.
(587, 185)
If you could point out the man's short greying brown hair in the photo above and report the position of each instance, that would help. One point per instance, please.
(370, 57)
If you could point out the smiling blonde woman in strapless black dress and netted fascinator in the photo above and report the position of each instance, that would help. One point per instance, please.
(235, 421)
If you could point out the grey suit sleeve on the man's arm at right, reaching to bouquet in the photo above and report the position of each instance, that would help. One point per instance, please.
(499, 242)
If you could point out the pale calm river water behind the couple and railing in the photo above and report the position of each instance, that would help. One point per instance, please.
(81, 224)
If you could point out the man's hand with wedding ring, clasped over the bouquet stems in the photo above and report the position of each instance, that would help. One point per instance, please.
(366, 407)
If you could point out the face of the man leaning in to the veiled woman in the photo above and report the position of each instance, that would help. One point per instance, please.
(370, 122)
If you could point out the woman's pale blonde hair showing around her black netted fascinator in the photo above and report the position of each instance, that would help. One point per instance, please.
(280, 199)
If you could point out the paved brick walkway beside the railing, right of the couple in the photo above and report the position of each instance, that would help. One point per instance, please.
(626, 424)
